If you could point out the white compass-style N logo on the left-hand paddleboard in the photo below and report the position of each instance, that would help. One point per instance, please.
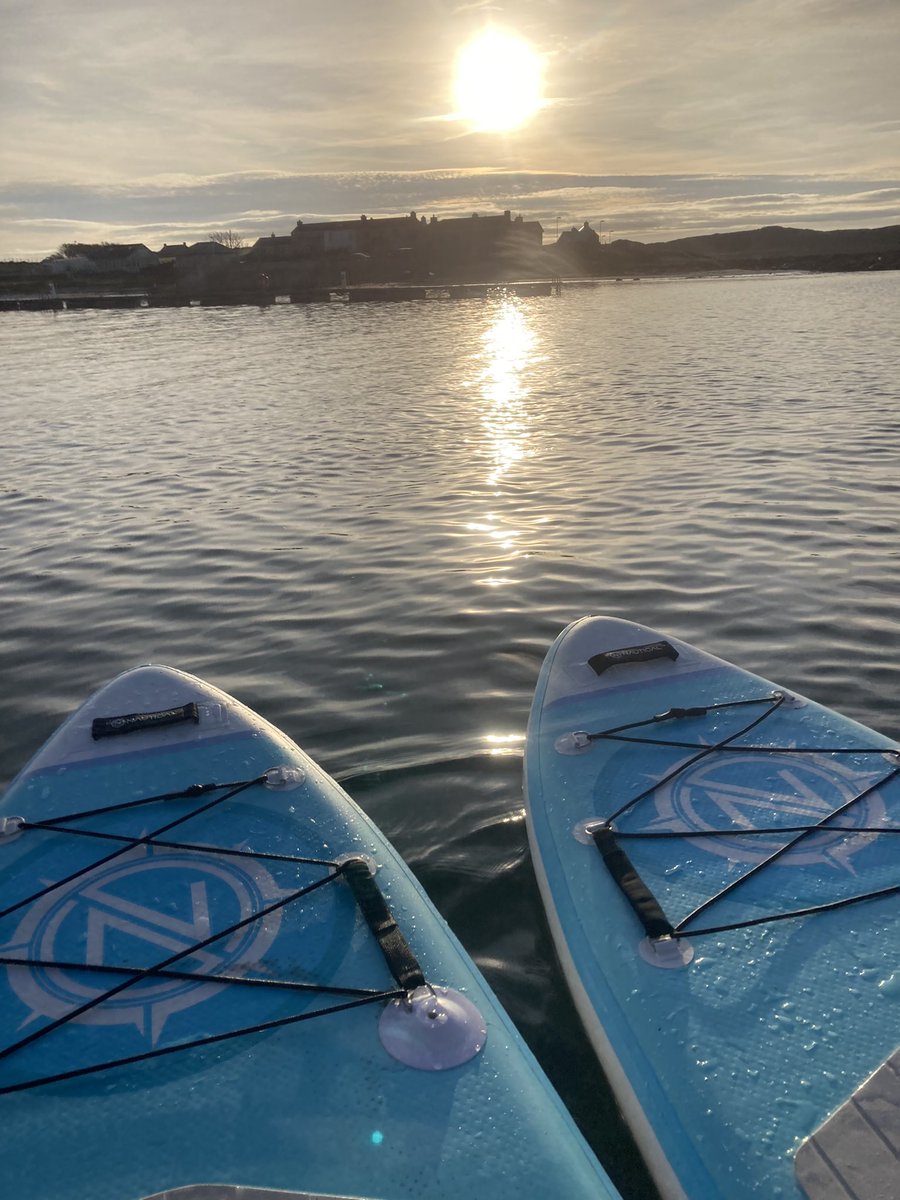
(139, 910)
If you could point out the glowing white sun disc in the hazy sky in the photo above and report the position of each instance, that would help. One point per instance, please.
(499, 82)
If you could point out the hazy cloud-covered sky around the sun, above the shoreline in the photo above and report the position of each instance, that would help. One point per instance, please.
(129, 121)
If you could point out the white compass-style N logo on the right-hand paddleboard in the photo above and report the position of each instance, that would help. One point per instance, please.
(790, 790)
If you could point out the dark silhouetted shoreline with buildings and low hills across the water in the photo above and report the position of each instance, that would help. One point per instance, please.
(411, 257)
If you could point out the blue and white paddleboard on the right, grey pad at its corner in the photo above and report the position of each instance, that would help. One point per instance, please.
(719, 863)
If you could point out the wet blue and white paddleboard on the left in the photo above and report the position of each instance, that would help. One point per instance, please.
(218, 981)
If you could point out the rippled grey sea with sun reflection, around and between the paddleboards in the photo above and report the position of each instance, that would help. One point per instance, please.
(369, 523)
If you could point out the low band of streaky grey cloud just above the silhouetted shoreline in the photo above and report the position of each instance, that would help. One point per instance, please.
(34, 220)
